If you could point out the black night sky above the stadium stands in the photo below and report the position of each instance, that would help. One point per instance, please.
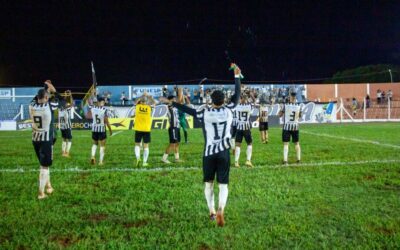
(150, 42)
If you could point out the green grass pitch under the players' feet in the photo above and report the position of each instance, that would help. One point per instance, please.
(345, 194)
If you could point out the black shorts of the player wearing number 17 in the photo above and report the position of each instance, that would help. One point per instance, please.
(219, 164)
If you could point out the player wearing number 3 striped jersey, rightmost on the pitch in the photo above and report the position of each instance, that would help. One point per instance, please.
(291, 113)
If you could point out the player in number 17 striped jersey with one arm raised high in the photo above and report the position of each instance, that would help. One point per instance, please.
(216, 120)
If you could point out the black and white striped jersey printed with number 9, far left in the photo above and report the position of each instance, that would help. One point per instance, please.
(42, 117)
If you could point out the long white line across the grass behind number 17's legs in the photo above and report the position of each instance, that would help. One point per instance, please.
(103, 170)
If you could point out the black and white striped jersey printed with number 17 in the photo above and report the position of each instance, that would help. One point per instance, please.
(216, 128)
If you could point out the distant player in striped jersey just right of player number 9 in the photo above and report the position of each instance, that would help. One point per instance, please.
(64, 120)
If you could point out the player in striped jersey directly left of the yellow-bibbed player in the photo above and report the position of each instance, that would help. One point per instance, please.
(99, 135)
